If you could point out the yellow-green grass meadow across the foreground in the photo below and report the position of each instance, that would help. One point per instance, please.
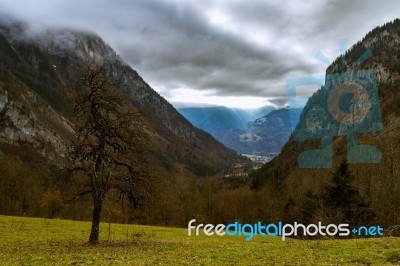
(37, 241)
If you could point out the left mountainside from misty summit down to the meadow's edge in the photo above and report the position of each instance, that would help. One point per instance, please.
(39, 82)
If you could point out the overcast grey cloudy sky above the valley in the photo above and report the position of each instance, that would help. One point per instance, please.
(227, 52)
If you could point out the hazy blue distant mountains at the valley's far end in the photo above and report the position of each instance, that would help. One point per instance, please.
(259, 132)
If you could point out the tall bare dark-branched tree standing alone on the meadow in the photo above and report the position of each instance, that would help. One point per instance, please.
(108, 150)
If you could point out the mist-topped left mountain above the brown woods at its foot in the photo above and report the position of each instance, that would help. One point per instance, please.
(39, 78)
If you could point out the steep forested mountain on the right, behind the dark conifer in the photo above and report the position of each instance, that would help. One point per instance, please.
(353, 118)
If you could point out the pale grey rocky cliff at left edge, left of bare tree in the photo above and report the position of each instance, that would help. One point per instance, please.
(26, 118)
